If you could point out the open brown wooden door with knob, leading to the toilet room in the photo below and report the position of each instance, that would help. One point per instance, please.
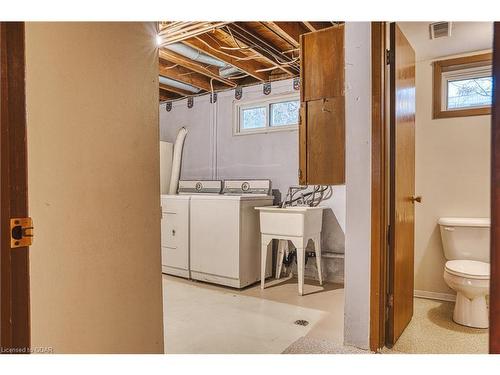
(402, 183)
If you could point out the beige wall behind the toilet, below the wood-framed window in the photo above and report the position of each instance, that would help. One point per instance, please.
(452, 175)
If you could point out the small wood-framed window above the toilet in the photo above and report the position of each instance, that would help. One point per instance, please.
(463, 87)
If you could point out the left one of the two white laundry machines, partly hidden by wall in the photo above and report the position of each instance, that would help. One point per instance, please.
(175, 224)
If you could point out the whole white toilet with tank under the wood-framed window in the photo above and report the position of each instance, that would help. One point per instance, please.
(466, 245)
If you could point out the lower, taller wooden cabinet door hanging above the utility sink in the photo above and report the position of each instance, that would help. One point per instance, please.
(325, 141)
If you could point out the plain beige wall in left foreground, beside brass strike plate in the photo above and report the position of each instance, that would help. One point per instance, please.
(92, 108)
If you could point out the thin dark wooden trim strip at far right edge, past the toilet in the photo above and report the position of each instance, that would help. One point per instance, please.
(494, 334)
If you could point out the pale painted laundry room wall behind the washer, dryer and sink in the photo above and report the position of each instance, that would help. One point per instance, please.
(212, 151)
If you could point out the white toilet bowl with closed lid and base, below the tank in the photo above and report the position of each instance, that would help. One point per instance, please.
(471, 280)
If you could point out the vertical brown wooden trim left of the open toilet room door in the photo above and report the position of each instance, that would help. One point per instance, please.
(379, 219)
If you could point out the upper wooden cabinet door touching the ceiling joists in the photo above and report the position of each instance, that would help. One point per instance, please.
(322, 64)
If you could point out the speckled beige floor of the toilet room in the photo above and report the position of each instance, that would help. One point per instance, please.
(432, 331)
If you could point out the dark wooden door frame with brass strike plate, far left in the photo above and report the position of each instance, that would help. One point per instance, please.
(14, 263)
